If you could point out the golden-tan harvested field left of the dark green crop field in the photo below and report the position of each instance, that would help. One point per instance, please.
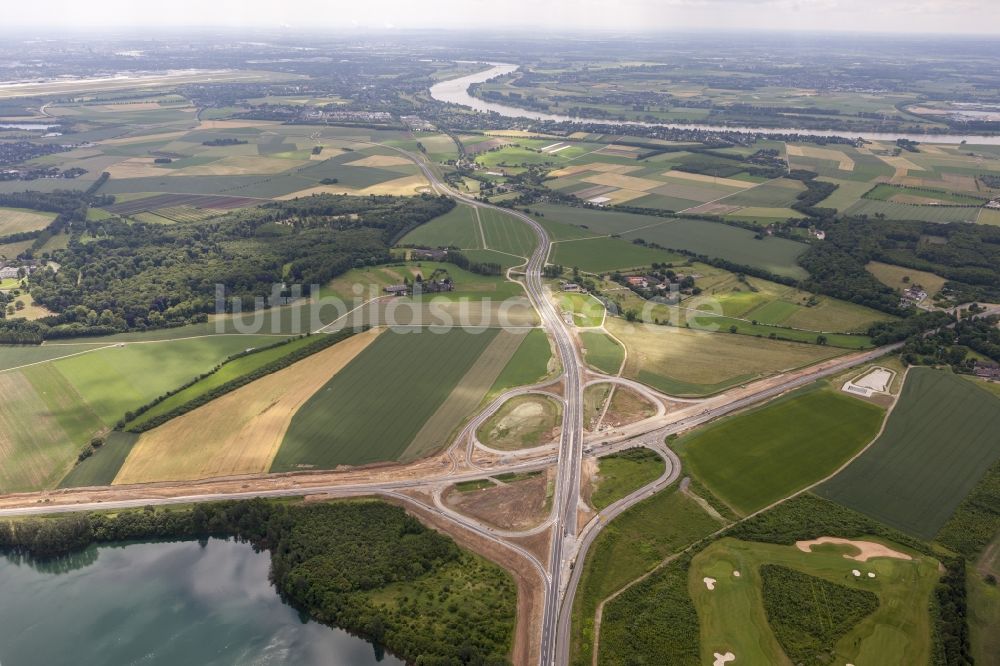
(240, 432)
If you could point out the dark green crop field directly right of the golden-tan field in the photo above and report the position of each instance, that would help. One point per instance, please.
(372, 409)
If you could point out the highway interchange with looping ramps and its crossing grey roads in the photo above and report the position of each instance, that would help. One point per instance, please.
(568, 543)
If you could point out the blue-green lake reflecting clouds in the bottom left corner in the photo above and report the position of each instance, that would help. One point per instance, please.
(162, 603)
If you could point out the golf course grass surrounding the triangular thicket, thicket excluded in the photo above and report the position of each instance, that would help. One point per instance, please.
(733, 616)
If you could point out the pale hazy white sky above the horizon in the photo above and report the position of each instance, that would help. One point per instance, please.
(974, 16)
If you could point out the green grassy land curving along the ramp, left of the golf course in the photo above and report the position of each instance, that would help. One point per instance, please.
(632, 544)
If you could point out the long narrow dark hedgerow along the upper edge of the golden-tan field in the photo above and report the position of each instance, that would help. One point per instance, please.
(321, 342)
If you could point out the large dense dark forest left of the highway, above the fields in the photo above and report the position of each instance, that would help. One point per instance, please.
(119, 274)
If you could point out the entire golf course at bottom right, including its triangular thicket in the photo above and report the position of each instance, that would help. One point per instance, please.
(878, 620)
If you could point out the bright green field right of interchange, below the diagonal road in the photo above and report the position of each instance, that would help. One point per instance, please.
(754, 459)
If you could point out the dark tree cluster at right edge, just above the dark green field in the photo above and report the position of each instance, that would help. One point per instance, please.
(952, 345)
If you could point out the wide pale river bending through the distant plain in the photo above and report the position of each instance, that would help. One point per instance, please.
(456, 91)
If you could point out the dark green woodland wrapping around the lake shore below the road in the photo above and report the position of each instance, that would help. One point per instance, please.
(331, 560)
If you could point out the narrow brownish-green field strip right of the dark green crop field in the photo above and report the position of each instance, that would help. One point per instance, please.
(467, 394)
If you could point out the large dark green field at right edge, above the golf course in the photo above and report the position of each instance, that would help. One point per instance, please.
(940, 439)
